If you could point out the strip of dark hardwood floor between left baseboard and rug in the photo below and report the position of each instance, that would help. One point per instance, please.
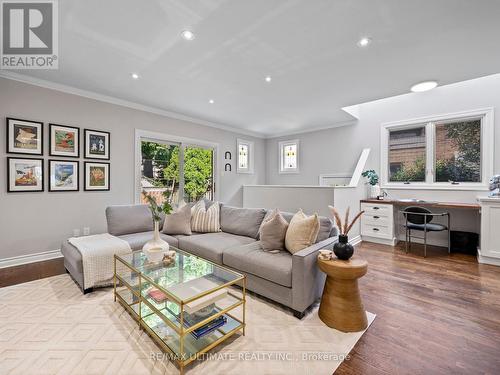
(31, 271)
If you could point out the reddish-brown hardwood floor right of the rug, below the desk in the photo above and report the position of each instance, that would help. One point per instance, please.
(435, 315)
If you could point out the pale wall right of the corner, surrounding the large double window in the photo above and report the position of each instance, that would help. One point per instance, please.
(336, 150)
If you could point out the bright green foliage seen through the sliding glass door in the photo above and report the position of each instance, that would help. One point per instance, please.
(197, 170)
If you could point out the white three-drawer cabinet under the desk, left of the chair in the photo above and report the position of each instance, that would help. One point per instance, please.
(377, 223)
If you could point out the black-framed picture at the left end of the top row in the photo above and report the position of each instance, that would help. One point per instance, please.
(24, 137)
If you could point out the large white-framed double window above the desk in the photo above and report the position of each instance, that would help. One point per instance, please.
(452, 151)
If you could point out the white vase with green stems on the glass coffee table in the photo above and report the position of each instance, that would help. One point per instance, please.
(157, 248)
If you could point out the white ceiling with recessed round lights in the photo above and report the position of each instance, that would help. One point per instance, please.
(308, 47)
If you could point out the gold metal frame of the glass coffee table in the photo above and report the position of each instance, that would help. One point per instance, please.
(132, 298)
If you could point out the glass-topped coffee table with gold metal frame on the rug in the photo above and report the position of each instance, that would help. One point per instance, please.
(187, 306)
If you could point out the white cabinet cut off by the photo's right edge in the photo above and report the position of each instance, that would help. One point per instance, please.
(489, 251)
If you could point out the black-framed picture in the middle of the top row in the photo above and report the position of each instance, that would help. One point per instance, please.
(64, 141)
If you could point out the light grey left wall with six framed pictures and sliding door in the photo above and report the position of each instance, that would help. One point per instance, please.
(38, 222)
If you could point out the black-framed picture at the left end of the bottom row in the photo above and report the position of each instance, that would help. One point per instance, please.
(24, 175)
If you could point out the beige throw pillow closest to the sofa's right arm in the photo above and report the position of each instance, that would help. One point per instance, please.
(302, 232)
